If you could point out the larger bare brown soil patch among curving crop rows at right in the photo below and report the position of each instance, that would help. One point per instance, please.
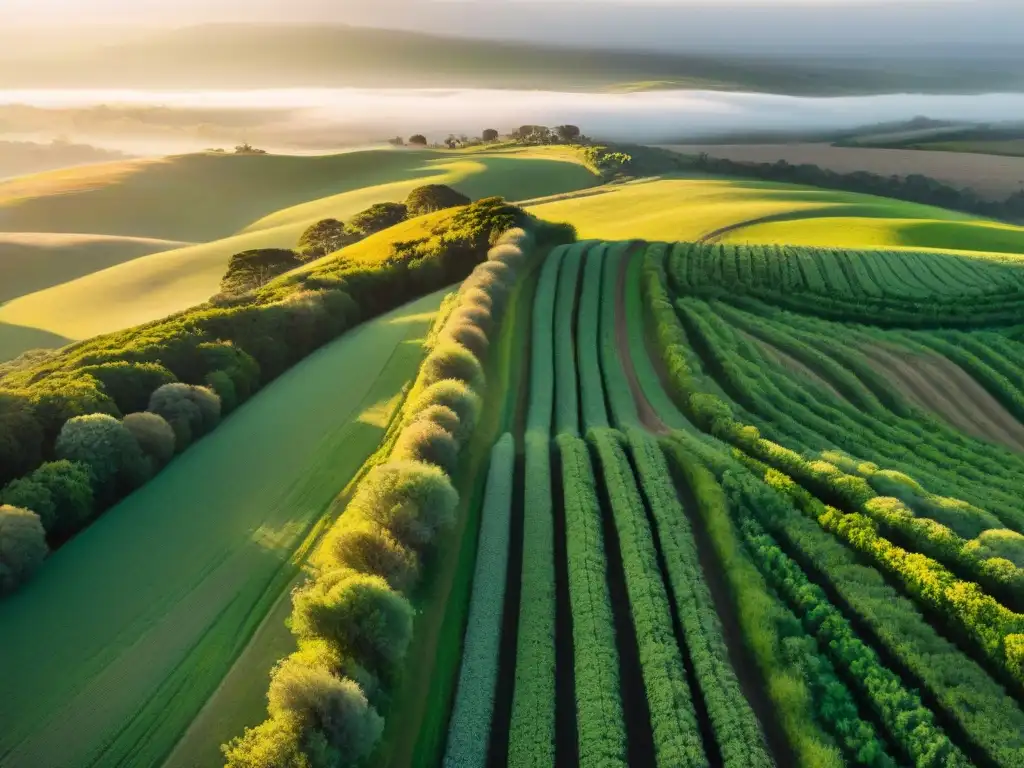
(941, 387)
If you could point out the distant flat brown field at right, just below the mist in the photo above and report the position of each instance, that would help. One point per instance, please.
(992, 177)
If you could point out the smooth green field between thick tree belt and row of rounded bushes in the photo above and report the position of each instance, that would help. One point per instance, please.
(166, 589)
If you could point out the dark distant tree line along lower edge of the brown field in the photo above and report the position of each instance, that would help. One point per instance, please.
(915, 188)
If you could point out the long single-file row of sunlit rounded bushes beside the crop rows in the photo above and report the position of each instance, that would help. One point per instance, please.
(355, 621)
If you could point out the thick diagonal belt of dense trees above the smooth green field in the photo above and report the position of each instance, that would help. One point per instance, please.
(224, 353)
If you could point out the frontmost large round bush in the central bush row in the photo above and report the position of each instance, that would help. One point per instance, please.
(321, 702)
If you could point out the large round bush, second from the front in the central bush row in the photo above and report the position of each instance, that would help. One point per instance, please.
(368, 621)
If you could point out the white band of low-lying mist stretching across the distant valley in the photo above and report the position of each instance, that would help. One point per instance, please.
(324, 120)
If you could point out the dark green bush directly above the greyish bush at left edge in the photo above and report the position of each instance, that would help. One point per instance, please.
(61, 493)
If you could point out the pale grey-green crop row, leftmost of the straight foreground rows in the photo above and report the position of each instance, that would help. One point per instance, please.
(470, 730)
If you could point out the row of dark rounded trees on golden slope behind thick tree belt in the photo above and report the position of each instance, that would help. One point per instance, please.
(250, 271)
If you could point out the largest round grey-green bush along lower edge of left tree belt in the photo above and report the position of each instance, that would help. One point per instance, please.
(109, 450)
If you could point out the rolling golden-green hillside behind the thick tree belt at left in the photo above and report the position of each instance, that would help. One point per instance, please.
(205, 196)
